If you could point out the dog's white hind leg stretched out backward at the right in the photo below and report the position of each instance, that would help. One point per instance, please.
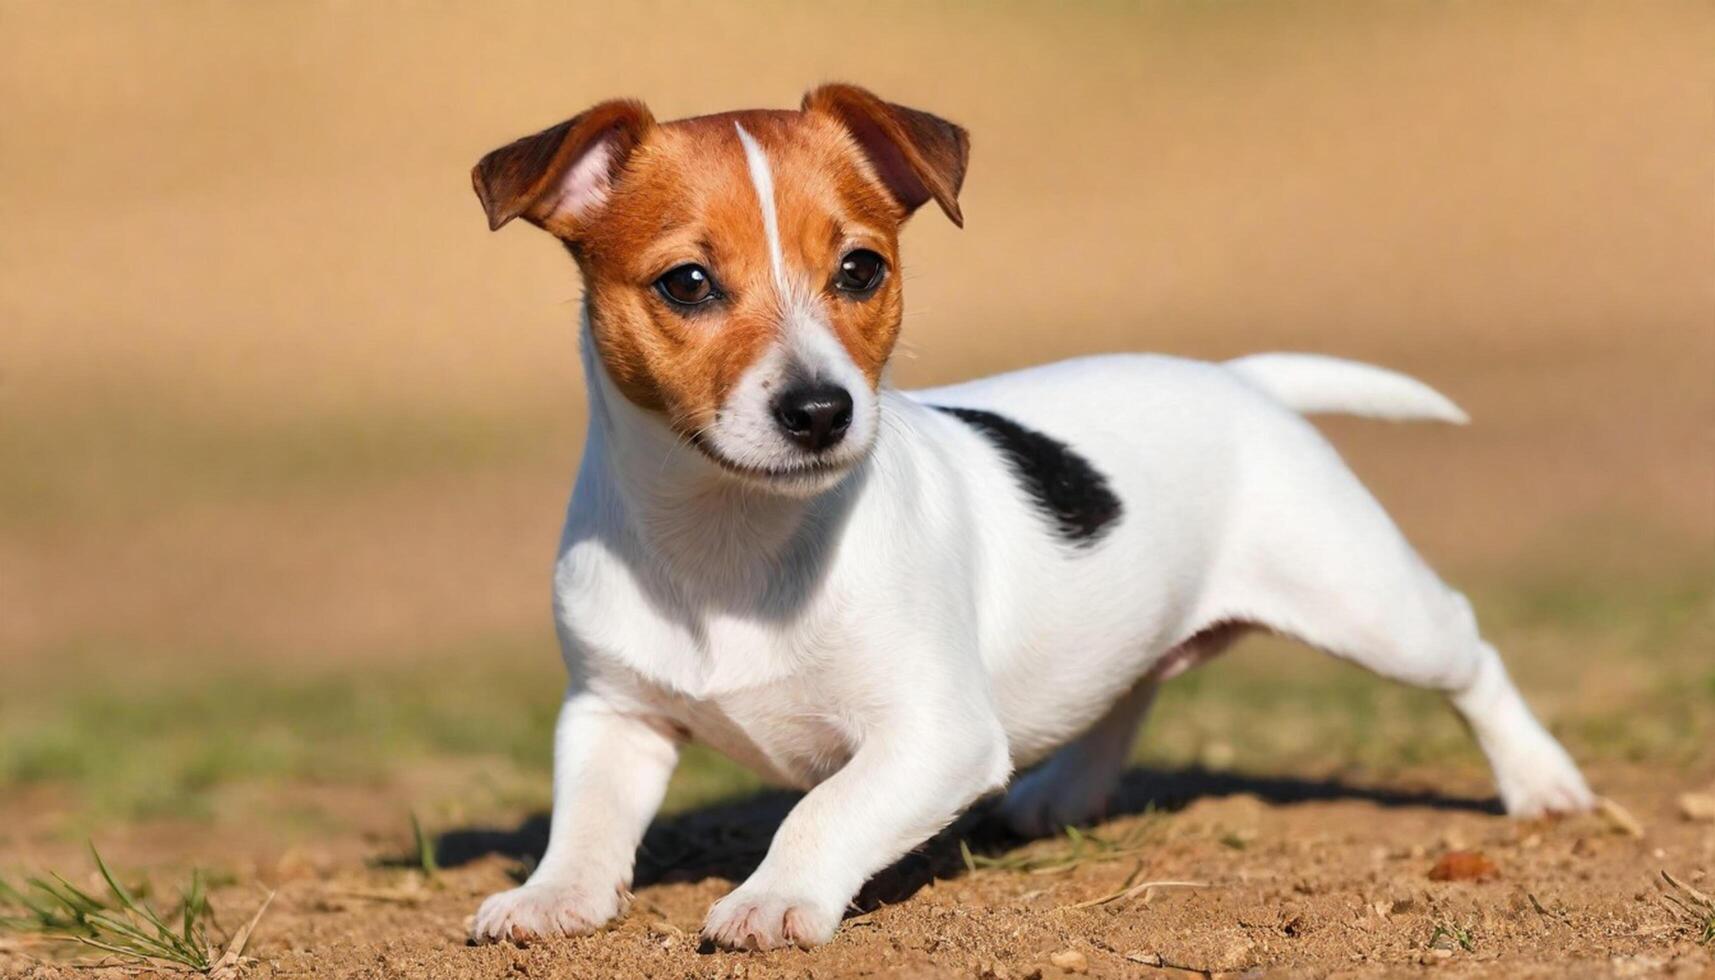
(1323, 562)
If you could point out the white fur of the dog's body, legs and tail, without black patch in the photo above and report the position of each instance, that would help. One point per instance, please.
(903, 641)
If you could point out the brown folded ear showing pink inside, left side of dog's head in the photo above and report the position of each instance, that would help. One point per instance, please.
(562, 178)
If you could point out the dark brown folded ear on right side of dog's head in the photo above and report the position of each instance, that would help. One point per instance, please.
(917, 155)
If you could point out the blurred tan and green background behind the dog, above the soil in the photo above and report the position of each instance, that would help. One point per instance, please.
(286, 433)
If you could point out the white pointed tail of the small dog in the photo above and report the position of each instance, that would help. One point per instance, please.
(1309, 384)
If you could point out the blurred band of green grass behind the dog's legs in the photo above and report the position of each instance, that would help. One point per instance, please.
(148, 735)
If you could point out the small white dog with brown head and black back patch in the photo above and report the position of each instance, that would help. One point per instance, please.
(900, 600)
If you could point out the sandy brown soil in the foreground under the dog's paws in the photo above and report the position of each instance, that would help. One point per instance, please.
(1296, 878)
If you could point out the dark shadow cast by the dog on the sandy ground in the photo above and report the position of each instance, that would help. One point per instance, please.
(730, 840)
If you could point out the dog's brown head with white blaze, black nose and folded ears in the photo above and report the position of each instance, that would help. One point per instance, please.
(742, 269)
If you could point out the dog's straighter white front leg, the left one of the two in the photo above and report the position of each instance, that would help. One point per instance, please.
(611, 771)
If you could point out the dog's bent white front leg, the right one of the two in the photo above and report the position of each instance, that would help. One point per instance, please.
(900, 789)
